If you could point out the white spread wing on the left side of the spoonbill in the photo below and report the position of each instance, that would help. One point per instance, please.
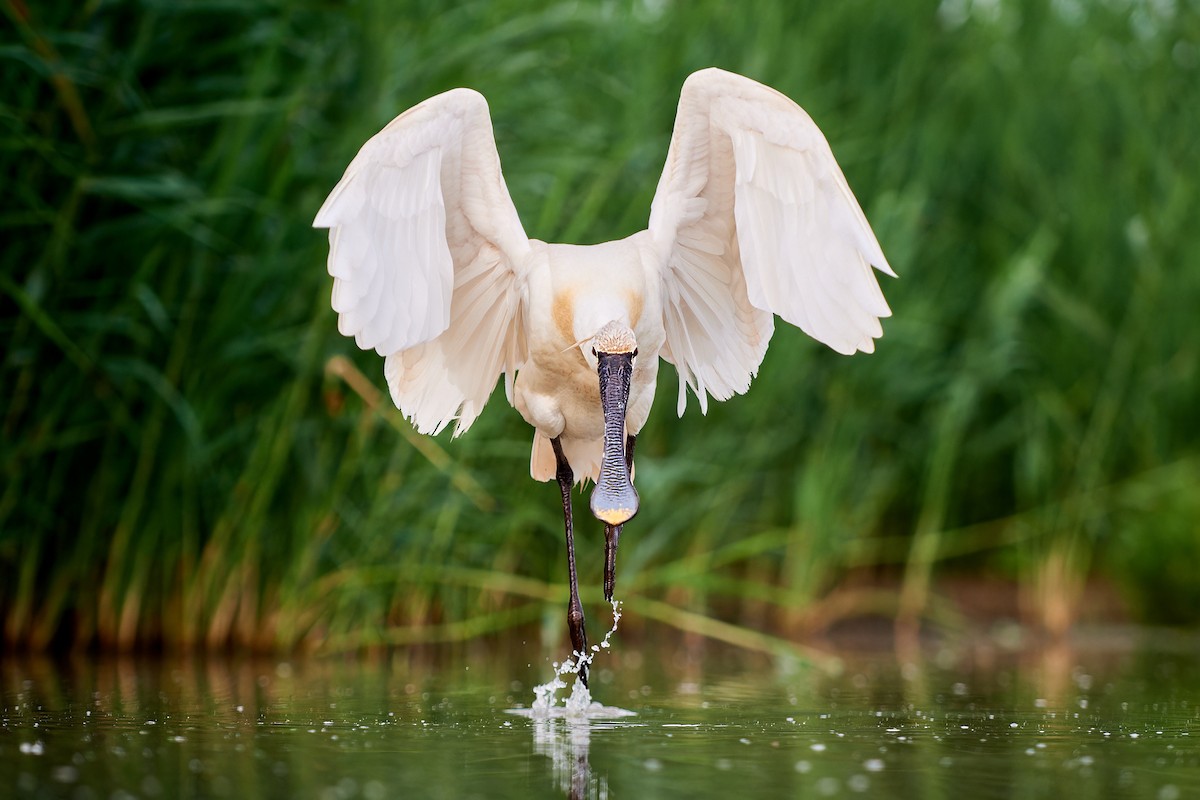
(428, 257)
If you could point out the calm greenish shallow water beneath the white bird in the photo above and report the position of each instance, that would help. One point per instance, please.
(1117, 723)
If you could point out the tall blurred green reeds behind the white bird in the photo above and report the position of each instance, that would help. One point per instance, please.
(193, 458)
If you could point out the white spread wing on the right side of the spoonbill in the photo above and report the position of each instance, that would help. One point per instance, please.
(753, 218)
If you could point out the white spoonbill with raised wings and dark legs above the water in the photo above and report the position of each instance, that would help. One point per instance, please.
(434, 270)
